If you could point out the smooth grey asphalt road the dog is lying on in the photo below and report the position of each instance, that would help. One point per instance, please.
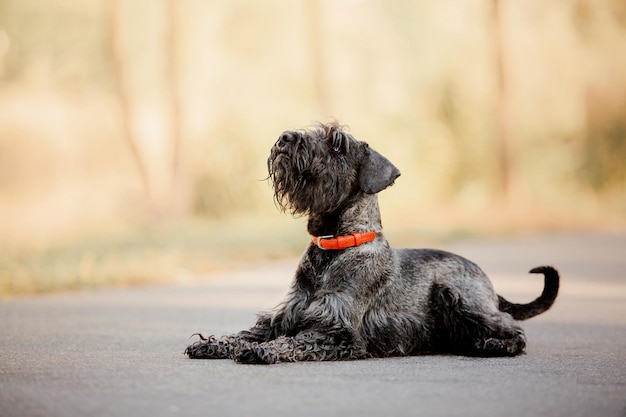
(119, 352)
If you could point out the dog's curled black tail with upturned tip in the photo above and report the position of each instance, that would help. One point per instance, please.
(542, 303)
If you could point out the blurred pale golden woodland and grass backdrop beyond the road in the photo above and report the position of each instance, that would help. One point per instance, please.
(134, 134)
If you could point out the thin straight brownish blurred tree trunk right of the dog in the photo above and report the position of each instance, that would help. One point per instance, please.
(502, 105)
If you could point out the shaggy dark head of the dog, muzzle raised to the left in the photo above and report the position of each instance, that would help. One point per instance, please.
(318, 170)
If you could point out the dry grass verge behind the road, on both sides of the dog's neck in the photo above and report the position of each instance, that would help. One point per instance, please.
(190, 250)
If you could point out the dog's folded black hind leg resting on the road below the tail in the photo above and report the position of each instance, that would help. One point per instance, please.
(468, 331)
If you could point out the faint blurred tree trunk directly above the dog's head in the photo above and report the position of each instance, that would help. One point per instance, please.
(321, 82)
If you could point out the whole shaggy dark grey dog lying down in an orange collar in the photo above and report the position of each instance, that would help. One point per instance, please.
(355, 297)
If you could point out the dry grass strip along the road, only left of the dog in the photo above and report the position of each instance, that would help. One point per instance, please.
(174, 253)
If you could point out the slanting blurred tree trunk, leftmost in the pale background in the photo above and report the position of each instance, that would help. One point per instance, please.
(123, 94)
